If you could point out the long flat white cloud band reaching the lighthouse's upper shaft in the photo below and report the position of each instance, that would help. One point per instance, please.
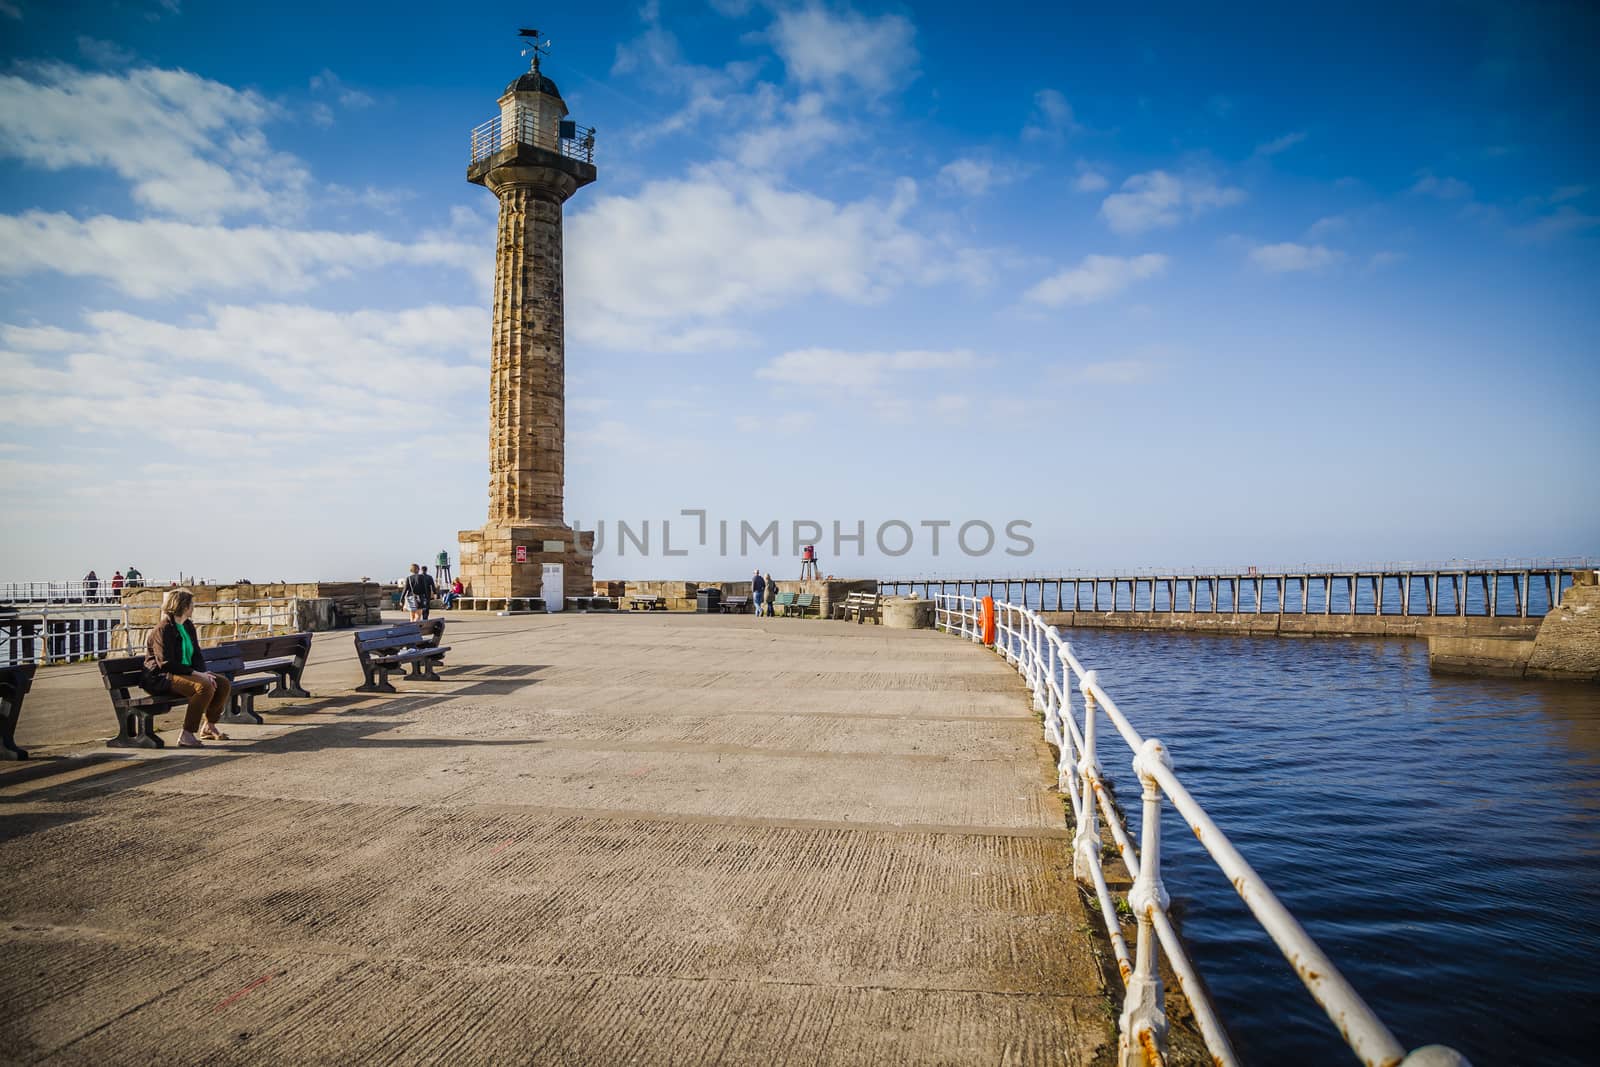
(159, 258)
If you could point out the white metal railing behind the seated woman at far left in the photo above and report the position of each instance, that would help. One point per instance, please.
(68, 633)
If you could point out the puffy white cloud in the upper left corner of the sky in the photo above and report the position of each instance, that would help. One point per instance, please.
(191, 148)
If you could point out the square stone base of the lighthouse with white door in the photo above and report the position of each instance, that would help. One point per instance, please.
(508, 559)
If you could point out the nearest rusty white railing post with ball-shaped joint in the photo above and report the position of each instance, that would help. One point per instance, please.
(1143, 1025)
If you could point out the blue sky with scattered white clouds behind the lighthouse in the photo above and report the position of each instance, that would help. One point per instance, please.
(1177, 287)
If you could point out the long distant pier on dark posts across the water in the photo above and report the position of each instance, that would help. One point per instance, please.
(1502, 589)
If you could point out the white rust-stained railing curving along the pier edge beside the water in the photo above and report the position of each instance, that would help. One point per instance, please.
(1050, 669)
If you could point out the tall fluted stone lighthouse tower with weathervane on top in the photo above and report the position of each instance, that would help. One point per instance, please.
(532, 158)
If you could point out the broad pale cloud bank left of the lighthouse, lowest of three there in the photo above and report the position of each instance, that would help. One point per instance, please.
(273, 375)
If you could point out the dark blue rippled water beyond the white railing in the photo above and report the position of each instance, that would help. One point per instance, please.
(1439, 837)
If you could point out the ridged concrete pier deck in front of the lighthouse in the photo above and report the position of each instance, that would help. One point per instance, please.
(601, 841)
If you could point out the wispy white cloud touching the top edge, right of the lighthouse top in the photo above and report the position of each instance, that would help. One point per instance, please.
(844, 49)
